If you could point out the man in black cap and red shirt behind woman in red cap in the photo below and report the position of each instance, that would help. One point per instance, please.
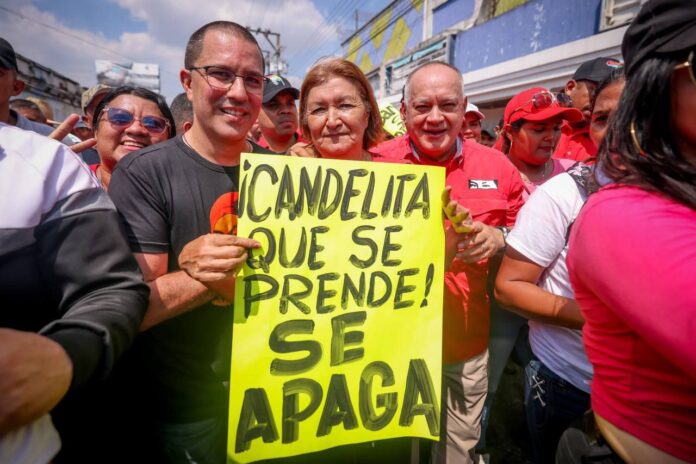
(575, 142)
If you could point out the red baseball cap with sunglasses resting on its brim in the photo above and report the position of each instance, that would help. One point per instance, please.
(538, 104)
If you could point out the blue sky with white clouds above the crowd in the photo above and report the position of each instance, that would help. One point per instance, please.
(68, 35)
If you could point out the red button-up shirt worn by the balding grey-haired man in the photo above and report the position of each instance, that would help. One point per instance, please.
(484, 181)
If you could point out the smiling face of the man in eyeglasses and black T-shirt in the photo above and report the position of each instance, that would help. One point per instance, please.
(224, 115)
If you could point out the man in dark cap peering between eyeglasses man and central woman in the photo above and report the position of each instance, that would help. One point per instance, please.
(278, 119)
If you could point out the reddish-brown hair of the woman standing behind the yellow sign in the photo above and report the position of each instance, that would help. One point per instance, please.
(338, 67)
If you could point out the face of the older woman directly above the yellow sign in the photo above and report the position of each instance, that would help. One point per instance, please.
(337, 118)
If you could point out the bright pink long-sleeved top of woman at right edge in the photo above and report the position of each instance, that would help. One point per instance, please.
(632, 264)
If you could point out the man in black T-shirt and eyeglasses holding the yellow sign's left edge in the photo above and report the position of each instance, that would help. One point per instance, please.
(179, 200)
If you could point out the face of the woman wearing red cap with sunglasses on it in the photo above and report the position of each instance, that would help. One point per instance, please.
(535, 141)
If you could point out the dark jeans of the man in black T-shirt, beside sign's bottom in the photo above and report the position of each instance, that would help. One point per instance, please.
(202, 442)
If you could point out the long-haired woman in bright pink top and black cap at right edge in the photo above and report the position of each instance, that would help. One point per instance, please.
(632, 257)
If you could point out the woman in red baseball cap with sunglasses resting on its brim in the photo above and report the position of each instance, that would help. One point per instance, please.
(531, 129)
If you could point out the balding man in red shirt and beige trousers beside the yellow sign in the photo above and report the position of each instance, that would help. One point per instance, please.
(486, 183)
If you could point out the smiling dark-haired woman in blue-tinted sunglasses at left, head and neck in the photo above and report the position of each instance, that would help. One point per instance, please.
(126, 120)
